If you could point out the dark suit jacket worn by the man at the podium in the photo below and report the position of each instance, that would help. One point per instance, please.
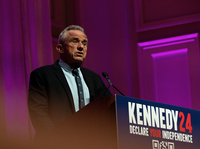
(50, 99)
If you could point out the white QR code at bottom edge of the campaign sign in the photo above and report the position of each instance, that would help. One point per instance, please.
(162, 145)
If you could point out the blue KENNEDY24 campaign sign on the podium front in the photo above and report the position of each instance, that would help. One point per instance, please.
(151, 125)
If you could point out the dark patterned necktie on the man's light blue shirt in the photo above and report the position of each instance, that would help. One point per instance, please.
(80, 88)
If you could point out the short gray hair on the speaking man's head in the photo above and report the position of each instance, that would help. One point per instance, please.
(63, 35)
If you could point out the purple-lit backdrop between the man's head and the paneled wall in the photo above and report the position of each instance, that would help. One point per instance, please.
(112, 42)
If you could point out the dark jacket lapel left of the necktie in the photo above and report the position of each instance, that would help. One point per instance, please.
(61, 77)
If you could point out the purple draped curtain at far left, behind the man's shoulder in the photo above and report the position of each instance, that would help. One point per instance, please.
(25, 44)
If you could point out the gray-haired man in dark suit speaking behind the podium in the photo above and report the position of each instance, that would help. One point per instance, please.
(53, 92)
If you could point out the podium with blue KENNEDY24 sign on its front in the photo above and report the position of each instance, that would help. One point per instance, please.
(119, 122)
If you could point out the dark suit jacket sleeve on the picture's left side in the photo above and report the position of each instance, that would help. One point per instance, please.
(38, 103)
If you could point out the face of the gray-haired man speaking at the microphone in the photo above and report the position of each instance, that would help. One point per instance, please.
(75, 48)
